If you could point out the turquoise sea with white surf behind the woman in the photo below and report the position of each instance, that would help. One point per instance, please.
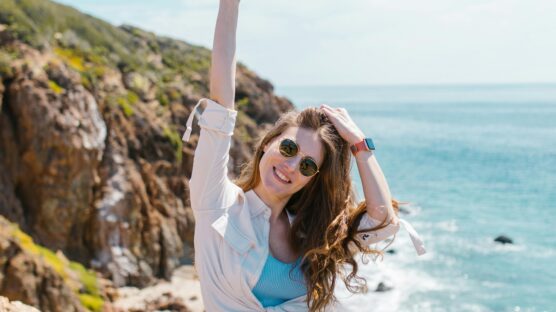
(475, 162)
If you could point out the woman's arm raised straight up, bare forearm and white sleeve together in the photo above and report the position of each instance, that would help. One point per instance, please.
(210, 188)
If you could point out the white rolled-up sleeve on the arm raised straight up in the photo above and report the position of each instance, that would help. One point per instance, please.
(210, 188)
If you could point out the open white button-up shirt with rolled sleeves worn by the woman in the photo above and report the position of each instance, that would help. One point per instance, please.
(232, 226)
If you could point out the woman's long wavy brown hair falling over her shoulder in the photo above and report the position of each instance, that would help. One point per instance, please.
(326, 205)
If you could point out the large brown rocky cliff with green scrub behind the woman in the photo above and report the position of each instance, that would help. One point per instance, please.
(91, 161)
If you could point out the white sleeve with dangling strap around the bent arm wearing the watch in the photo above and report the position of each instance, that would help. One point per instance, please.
(373, 237)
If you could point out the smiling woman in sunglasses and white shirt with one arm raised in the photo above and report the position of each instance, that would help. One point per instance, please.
(277, 238)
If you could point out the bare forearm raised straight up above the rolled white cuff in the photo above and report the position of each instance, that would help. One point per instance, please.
(223, 68)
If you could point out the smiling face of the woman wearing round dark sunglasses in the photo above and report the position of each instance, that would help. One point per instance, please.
(280, 175)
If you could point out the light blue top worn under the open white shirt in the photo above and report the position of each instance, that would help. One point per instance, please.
(276, 285)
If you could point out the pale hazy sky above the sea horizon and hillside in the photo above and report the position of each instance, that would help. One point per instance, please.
(322, 42)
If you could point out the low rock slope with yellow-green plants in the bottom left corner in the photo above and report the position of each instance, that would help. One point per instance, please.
(46, 280)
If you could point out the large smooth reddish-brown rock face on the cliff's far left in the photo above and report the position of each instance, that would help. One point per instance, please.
(60, 141)
